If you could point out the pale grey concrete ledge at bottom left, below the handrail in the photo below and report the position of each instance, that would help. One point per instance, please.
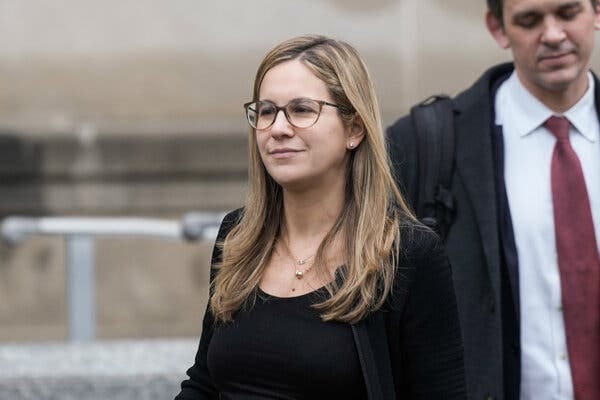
(116, 370)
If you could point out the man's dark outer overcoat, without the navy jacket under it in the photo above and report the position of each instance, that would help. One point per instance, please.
(473, 242)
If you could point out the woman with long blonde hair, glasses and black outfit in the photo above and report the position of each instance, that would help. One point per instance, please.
(324, 286)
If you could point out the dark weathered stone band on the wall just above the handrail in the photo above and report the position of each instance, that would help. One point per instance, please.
(127, 173)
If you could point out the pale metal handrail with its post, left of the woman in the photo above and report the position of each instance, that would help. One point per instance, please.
(80, 234)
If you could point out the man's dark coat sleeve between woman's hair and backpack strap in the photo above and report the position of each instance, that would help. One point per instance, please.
(403, 154)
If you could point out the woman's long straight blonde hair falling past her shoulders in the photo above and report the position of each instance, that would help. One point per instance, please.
(370, 218)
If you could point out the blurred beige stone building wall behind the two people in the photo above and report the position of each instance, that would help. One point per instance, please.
(131, 107)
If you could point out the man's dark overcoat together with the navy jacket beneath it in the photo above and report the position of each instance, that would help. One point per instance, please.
(480, 243)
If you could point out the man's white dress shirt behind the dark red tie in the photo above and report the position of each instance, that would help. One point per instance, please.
(528, 146)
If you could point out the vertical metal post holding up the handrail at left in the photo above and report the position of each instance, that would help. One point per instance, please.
(81, 286)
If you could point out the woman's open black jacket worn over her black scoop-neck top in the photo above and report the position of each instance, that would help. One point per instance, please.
(411, 349)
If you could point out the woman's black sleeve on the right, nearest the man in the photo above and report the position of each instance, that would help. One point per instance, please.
(431, 340)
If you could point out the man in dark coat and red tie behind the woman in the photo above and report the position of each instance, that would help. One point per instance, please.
(524, 240)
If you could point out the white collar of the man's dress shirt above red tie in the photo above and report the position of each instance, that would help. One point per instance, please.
(533, 113)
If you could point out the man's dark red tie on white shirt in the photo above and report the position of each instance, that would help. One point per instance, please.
(579, 263)
